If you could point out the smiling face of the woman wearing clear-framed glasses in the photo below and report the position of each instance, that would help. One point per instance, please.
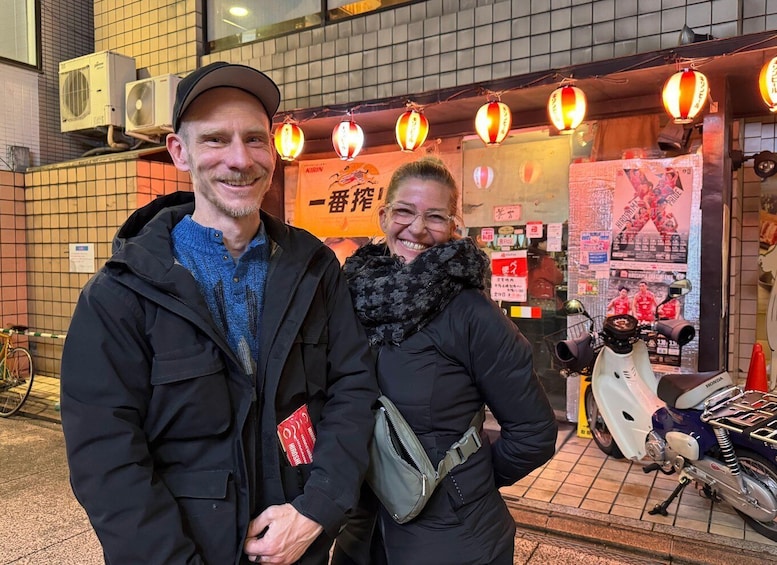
(418, 218)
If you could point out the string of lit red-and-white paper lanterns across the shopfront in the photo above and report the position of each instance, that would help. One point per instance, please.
(684, 95)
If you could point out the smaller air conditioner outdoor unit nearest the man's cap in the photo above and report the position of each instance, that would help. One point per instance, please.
(149, 104)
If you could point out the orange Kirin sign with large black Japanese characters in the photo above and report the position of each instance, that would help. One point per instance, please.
(341, 198)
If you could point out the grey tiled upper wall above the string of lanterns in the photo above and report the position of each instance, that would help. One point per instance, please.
(448, 43)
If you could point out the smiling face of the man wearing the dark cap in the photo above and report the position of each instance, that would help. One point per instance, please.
(225, 142)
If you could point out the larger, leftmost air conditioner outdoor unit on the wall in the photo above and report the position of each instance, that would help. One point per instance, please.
(91, 90)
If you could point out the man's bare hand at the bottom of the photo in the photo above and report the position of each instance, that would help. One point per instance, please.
(280, 535)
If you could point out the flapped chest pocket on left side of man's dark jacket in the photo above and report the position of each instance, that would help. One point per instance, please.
(190, 397)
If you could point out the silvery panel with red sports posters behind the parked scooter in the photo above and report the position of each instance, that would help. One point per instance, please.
(650, 208)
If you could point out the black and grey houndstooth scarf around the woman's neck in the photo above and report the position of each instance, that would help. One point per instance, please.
(394, 299)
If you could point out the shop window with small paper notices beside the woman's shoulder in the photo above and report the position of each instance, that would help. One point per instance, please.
(515, 203)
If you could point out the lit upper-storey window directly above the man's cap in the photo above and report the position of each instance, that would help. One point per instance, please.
(235, 22)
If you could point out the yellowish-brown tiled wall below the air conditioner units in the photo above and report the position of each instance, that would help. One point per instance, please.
(82, 202)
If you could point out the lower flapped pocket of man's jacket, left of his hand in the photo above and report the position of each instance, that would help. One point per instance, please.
(207, 501)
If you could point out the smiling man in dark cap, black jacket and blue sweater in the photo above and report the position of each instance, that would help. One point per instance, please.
(216, 384)
